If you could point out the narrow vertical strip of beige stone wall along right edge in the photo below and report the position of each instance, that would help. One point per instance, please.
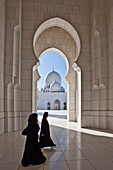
(109, 16)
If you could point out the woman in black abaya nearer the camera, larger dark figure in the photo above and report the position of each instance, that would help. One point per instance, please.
(32, 153)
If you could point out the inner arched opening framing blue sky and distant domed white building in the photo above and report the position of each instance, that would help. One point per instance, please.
(52, 85)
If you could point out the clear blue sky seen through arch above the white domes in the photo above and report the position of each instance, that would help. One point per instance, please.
(47, 62)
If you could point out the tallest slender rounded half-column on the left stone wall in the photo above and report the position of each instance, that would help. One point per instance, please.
(17, 92)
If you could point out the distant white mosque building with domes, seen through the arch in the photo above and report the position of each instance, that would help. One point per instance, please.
(53, 96)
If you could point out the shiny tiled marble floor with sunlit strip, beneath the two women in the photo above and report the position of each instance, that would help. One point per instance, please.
(77, 149)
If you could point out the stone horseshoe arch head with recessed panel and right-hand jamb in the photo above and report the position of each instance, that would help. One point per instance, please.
(50, 32)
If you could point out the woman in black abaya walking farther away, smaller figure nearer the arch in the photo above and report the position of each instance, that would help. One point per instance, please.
(45, 139)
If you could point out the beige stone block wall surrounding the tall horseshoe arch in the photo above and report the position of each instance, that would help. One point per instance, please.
(93, 22)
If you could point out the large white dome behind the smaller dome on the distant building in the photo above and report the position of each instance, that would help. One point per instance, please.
(52, 77)
